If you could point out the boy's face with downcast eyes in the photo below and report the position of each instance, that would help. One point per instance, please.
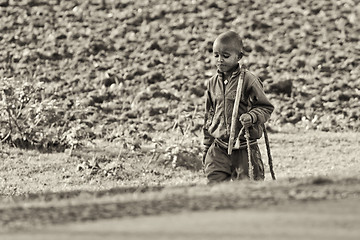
(226, 56)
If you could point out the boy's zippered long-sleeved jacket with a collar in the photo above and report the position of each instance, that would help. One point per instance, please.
(220, 98)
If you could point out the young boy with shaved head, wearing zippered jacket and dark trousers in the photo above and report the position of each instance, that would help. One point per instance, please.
(254, 110)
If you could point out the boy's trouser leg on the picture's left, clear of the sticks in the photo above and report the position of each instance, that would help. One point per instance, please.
(217, 164)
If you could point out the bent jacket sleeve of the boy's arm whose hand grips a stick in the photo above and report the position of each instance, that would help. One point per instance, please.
(261, 108)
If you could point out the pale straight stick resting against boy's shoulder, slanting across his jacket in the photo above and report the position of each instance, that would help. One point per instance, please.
(235, 113)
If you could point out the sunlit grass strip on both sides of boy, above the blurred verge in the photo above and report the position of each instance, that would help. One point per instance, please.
(104, 165)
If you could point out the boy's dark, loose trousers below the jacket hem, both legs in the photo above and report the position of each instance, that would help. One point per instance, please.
(219, 166)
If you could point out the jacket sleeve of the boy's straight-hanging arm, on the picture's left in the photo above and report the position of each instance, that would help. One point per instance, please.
(209, 113)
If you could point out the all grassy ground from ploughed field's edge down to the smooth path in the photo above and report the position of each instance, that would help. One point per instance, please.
(39, 189)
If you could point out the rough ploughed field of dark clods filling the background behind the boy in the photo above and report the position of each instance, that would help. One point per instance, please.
(107, 69)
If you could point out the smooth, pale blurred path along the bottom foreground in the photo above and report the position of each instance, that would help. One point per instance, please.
(335, 219)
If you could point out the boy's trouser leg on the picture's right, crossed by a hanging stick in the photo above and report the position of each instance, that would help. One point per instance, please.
(241, 163)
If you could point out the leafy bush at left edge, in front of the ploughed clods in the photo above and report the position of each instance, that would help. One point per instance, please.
(27, 118)
